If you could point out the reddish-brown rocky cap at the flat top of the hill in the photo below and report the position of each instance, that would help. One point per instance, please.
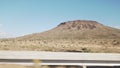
(79, 25)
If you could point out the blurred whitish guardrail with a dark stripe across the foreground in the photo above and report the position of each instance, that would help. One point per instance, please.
(59, 58)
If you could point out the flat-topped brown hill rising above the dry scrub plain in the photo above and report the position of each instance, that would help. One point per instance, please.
(78, 29)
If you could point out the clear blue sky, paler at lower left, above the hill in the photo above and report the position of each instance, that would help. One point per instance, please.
(21, 17)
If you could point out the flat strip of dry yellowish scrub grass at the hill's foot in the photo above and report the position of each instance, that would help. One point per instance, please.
(96, 45)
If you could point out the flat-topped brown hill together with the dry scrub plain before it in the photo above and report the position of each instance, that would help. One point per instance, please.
(72, 36)
